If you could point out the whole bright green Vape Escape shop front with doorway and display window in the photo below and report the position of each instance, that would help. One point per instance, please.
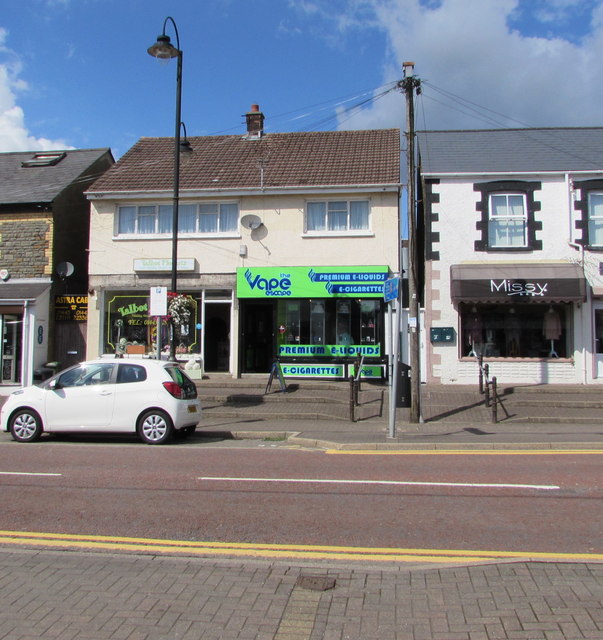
(316, 320)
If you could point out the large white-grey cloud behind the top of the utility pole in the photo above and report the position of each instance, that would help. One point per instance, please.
(466, 48)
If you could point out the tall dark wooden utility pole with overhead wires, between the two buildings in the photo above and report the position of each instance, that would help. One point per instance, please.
(411, 85)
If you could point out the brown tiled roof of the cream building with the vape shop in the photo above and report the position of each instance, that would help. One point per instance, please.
(276, 160)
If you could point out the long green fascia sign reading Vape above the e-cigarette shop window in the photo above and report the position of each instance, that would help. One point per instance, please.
(308, 282)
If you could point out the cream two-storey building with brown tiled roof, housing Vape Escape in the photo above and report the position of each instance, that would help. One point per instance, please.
(292, 270)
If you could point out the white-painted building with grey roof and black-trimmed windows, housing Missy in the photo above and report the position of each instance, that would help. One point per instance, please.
(530, 305)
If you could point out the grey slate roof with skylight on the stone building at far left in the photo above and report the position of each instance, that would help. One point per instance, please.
(20, 185)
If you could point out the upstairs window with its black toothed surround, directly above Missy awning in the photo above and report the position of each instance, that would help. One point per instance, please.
(508, 216)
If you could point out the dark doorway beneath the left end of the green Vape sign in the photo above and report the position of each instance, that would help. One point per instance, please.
(258, 338)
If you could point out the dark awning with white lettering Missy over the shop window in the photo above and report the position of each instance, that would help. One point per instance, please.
(512, 283)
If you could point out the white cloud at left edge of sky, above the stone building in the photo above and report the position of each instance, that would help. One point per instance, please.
(14, 135)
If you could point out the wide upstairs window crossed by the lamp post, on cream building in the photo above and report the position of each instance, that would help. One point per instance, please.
(195, 219)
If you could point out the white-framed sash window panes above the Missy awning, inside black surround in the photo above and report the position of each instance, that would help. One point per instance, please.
(508, 222)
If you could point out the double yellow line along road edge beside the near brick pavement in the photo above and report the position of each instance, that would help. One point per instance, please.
(275, 551)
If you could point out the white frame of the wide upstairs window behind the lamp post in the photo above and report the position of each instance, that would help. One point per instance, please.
(147, 210)
